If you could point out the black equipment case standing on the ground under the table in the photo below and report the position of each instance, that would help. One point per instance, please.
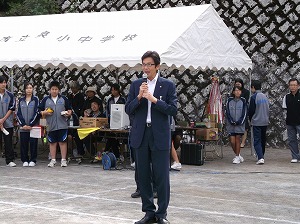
(192, 154)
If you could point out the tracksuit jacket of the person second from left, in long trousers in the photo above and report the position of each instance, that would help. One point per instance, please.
(28, 114)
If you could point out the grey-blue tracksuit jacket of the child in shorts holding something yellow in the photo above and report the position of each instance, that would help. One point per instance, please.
(56, 121)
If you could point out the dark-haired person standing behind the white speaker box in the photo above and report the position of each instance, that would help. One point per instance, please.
(116, 98)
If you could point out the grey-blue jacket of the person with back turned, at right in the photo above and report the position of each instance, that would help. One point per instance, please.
(259, 109)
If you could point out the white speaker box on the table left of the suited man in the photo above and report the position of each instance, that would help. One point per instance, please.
(118, 118)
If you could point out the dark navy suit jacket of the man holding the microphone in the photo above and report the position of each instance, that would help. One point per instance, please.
(166, 106)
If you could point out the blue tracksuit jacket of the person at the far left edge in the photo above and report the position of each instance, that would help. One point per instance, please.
(7, 103)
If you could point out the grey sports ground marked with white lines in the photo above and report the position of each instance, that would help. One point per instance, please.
(217, 192)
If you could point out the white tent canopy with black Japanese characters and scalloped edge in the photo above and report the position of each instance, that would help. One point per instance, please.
(184, 36)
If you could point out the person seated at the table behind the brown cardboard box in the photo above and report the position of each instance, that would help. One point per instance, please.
(95, 112)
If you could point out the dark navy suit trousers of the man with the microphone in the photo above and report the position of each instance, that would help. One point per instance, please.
(153, 166)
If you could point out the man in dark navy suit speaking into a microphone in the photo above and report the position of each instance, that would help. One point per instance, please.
(151, 101)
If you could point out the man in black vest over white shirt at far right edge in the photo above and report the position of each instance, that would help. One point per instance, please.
(291, 104)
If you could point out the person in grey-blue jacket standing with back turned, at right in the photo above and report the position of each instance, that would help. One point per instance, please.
(259, 118)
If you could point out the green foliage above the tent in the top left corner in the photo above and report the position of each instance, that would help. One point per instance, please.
(29, 7)
